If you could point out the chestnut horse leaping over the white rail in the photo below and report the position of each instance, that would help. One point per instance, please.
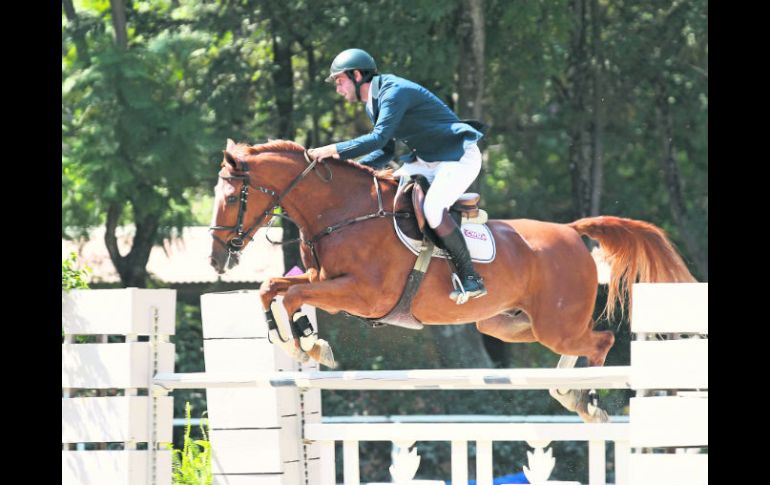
(542, 284)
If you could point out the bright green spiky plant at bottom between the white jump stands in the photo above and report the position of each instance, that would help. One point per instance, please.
(192, 464)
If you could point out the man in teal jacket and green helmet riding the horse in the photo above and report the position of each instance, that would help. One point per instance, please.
(444, 147)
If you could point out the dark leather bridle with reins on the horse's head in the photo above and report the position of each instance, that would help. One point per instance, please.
(235, 244)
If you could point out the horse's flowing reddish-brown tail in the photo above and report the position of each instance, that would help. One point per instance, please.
(636, 251)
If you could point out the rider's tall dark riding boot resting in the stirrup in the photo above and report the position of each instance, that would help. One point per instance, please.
(471, 284)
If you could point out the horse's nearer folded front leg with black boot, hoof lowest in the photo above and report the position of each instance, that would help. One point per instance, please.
(330, 295)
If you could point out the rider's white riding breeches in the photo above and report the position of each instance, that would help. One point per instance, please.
(449, 180)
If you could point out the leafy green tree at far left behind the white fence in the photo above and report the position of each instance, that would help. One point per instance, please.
(133, 133)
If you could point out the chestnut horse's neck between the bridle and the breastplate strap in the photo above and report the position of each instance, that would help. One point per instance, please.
(315, 204)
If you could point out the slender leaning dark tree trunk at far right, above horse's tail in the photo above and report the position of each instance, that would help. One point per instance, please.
(674, 182)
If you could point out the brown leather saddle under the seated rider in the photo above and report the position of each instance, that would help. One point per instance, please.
(410, 198)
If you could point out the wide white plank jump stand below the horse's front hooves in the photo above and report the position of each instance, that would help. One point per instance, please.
(247, 445)
